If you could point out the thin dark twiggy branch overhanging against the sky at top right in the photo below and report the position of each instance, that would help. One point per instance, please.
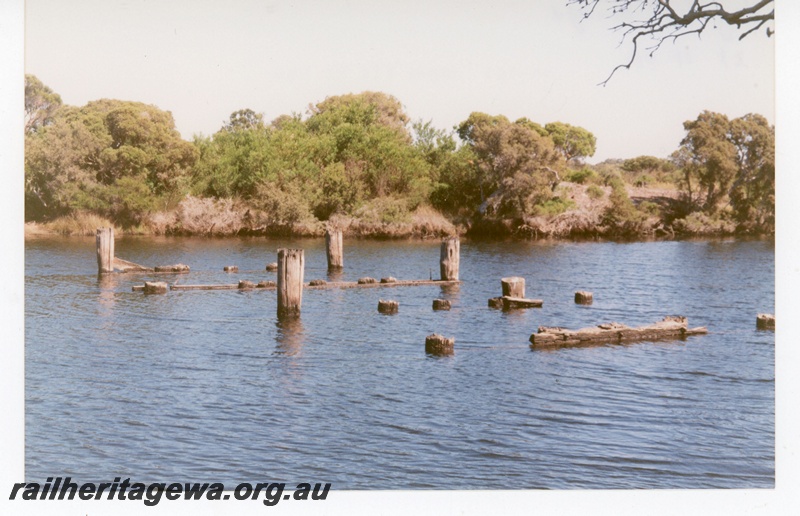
(668, 20)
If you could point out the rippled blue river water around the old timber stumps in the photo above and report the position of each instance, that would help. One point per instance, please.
(209, 385)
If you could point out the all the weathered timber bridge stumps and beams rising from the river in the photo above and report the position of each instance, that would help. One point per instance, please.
(290, 284)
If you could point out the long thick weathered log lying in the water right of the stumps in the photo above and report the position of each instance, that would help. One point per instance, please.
(669, 328)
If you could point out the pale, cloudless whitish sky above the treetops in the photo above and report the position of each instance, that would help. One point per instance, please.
(443, 59)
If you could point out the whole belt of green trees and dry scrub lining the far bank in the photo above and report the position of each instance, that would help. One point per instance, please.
(357, 163)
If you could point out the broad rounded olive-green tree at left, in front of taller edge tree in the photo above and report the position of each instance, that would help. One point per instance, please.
(118, 159)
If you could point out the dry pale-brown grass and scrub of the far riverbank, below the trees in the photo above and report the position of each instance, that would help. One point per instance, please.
(590, 214)
